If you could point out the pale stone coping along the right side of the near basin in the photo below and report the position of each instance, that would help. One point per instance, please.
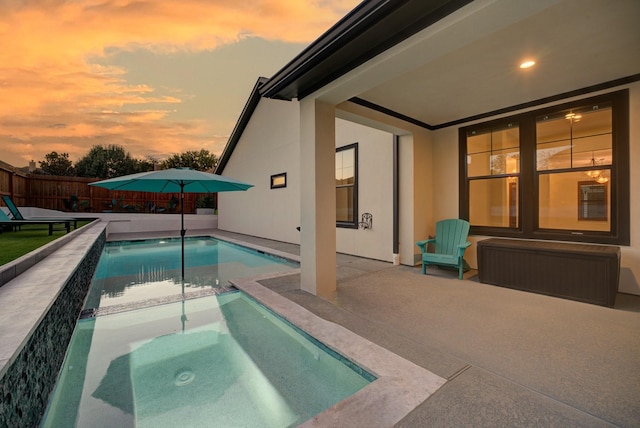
(400, 386)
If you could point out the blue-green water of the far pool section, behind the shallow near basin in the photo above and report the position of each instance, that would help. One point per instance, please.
(130, 271)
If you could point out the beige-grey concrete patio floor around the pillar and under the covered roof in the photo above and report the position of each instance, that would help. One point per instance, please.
(510, 358)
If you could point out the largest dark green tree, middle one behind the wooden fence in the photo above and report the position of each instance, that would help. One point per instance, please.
(108, 162)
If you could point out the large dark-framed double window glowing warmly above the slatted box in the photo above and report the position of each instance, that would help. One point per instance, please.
(519, 175)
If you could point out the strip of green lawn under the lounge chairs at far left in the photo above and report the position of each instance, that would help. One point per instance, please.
(29, 238)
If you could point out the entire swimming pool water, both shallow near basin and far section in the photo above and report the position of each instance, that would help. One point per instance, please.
(221, 360)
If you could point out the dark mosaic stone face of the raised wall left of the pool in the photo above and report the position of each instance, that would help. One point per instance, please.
(27, 382)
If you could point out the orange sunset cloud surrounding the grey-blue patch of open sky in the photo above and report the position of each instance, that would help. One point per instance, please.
(56, 96)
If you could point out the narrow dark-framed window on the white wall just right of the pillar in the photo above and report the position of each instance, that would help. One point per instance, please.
(347, 186)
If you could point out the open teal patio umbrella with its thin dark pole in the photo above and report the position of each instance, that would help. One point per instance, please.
(174, 180)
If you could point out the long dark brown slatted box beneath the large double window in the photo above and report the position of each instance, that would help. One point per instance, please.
(587, 273)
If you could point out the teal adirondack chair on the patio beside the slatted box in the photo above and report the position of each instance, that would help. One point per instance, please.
(449, 245)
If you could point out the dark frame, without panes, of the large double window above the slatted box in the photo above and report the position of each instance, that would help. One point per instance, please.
(528, 199)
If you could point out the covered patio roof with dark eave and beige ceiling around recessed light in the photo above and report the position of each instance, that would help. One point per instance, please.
(439, 63)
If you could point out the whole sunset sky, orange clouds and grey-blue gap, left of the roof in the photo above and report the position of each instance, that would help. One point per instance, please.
(154, 76)
